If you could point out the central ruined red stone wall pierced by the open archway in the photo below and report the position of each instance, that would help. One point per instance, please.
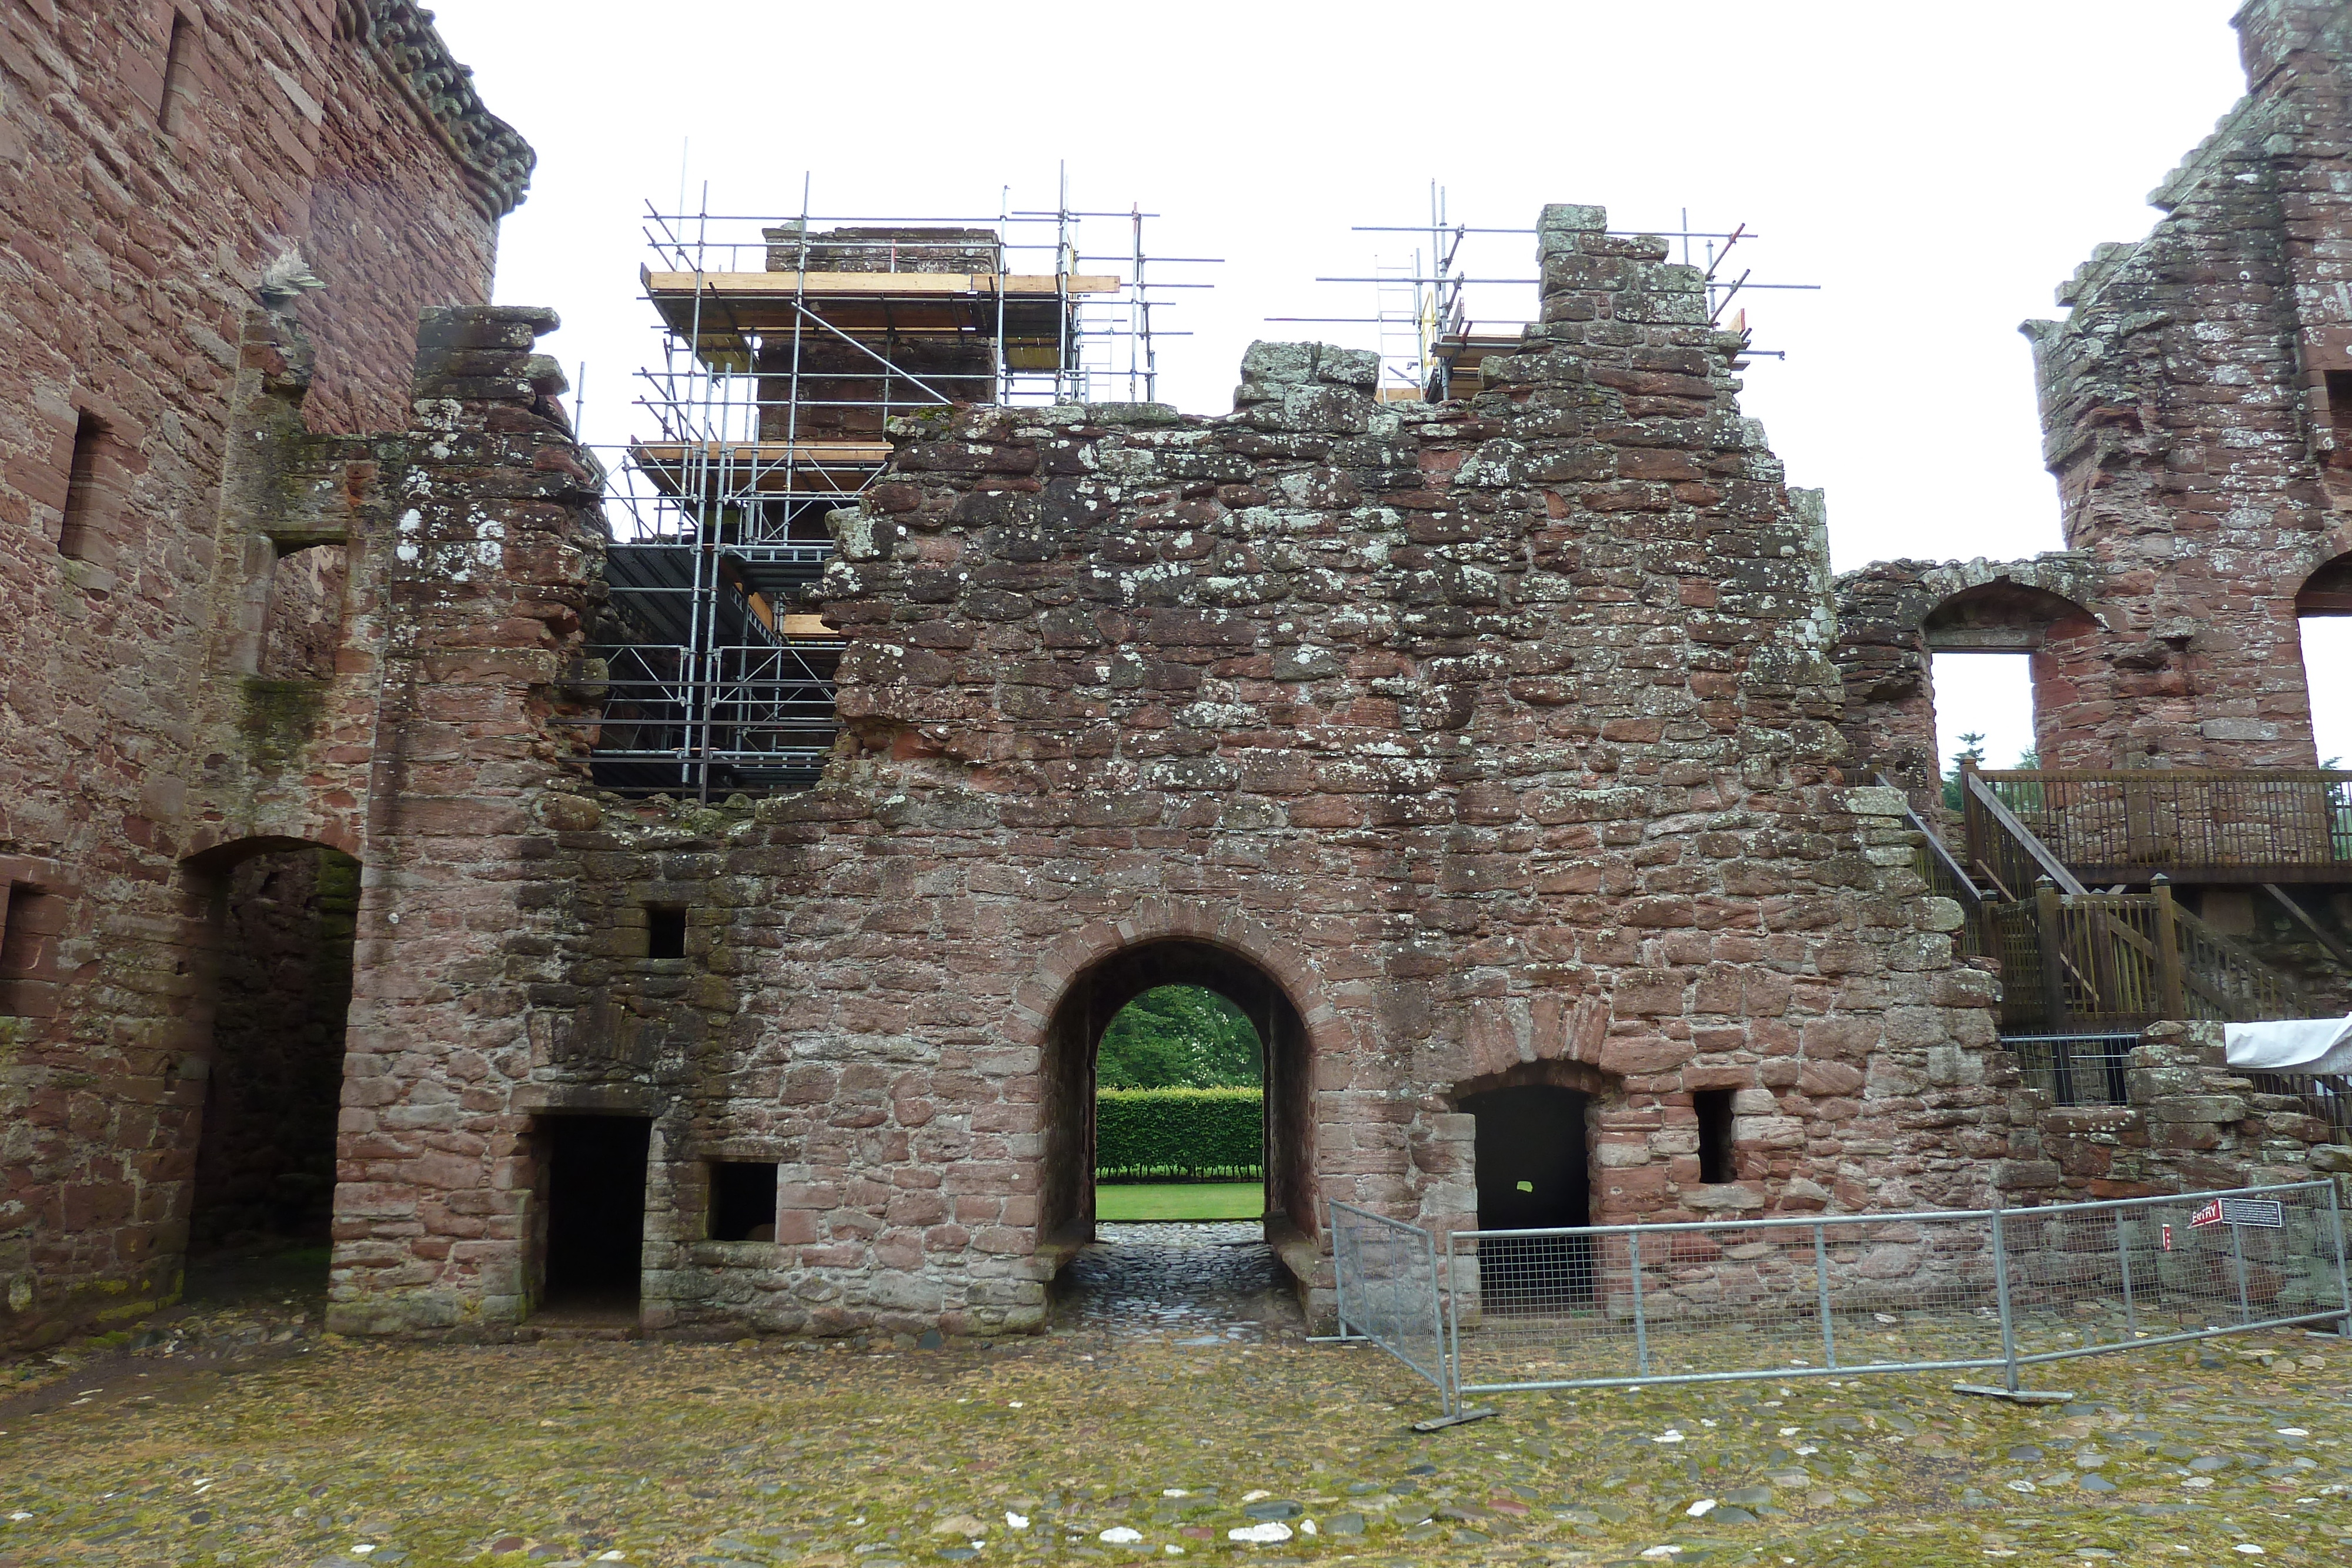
(1499, 735)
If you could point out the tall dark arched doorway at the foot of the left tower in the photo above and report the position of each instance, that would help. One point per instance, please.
(265, 1170)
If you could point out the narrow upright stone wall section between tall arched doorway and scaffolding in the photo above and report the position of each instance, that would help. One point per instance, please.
(488, 528)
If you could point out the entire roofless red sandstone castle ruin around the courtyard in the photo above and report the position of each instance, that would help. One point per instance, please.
(1511, 742)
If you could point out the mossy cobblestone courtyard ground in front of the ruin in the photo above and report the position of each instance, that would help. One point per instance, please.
(1132, 1433)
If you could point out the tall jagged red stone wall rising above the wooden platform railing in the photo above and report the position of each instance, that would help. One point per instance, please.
(2189, 424)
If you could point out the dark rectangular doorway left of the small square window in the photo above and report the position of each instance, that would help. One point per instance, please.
(596, 1212)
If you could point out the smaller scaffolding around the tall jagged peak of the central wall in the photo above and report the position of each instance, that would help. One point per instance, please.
(1434, 342)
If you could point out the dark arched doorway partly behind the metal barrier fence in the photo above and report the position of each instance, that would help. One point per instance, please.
(1532, 1174)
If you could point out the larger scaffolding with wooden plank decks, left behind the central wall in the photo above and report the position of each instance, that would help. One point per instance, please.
(787, 349)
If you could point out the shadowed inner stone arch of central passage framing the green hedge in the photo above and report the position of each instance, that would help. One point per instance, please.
(1071, 1073)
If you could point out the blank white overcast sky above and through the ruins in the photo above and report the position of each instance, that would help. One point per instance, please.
(1935, 168)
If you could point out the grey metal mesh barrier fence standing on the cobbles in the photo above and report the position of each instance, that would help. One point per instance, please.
(1617, 1306)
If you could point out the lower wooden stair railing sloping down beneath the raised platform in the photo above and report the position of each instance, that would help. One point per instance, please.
(2116, 963)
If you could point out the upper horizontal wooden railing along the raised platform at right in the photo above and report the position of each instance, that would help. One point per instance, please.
(2189, 824)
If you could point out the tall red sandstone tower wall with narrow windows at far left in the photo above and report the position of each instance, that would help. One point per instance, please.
(142, 227)
